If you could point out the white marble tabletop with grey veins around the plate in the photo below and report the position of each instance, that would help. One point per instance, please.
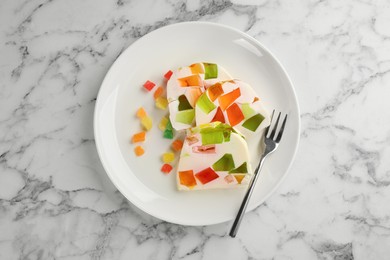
(56, 201)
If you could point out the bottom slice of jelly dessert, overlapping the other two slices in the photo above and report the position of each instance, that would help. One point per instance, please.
(213, 156)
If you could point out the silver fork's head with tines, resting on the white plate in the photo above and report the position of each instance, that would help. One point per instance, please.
(272, 139)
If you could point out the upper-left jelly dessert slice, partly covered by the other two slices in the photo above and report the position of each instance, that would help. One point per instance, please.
(184, 88)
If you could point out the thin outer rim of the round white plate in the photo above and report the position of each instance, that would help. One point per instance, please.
(99, 144)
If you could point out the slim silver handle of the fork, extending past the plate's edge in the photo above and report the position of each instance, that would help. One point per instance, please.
(244, 204)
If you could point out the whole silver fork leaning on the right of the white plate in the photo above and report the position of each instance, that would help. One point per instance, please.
(271, 143)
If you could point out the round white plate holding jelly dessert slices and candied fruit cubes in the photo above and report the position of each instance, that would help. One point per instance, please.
(139, 178)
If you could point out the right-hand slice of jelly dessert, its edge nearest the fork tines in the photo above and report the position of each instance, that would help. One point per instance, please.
(233, 102)
